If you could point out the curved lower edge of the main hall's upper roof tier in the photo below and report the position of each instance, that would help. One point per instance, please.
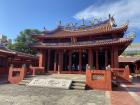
(99, 31)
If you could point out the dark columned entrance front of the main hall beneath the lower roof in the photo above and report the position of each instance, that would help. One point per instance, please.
(77, 60)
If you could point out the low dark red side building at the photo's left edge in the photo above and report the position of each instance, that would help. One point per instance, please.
(8, 57)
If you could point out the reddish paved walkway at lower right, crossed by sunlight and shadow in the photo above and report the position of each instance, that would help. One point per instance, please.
(127, 94)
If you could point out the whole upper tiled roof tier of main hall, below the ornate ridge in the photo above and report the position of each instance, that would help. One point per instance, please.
(97, 30)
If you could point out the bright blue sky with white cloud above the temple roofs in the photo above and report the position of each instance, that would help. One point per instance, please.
(17, 15)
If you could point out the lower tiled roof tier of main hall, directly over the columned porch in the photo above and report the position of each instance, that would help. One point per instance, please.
(105, 42)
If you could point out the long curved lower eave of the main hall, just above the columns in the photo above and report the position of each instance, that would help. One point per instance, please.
(124, 42)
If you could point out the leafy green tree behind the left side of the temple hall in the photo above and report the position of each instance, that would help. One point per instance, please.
(24, 40)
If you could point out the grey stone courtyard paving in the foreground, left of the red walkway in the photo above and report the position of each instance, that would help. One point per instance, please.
(23, 95)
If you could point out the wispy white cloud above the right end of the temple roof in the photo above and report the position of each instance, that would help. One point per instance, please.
(124, 10)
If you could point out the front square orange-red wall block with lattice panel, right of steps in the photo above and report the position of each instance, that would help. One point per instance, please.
(99, 79)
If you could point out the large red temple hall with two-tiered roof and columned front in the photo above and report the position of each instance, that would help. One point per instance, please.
(69, 49)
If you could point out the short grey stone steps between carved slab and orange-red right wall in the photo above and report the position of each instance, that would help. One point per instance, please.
(78, 85)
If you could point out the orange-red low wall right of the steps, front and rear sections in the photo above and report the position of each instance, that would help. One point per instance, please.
(102, 79)
